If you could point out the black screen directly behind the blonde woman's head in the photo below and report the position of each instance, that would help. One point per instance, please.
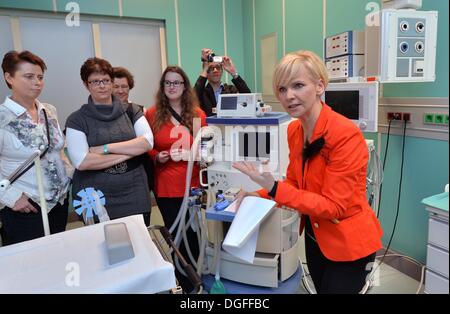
(344, 102)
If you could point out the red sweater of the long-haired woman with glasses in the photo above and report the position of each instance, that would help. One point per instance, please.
(170, 177)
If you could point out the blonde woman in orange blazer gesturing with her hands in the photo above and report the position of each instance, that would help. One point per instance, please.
(326, 179)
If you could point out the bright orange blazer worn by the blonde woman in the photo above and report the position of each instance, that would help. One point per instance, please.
(333, 189)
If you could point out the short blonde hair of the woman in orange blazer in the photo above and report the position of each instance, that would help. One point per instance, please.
(290, 65)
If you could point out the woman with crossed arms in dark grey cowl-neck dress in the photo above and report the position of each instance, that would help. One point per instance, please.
(103, 141)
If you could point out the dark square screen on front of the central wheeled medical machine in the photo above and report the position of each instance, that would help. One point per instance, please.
(254, 144)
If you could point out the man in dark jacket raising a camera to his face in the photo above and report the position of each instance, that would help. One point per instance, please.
(212, 72)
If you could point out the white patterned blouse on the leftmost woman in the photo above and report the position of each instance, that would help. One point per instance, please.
(20, 137)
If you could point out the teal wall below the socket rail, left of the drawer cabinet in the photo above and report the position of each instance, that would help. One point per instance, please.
(425, 173)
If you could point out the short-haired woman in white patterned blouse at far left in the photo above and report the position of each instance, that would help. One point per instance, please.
(27, 126)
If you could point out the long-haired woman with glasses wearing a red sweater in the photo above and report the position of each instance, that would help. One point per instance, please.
(175, 119)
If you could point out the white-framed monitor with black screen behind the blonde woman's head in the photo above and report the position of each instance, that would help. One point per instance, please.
(356, 101)
